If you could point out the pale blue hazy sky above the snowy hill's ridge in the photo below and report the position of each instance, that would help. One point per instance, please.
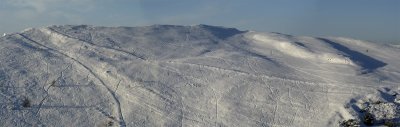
(375, 20)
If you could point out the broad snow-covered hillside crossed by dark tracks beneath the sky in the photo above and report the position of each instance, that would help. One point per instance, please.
(164, 75)
